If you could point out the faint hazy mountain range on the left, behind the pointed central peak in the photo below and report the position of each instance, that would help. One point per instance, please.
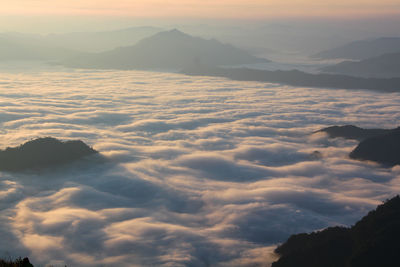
(59, 47)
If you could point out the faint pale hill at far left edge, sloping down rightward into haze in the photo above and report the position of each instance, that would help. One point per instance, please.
(12, 50)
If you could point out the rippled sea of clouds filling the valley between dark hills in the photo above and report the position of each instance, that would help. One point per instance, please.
(198, 171)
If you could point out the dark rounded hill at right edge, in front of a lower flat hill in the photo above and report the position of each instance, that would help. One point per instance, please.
(383, 149)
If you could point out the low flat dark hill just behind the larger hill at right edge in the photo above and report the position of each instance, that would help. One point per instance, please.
(353, 132)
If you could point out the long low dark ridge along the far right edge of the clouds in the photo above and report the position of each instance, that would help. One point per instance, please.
(297, 78)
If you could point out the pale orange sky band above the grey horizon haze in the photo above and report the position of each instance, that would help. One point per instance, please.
(202, 9)
